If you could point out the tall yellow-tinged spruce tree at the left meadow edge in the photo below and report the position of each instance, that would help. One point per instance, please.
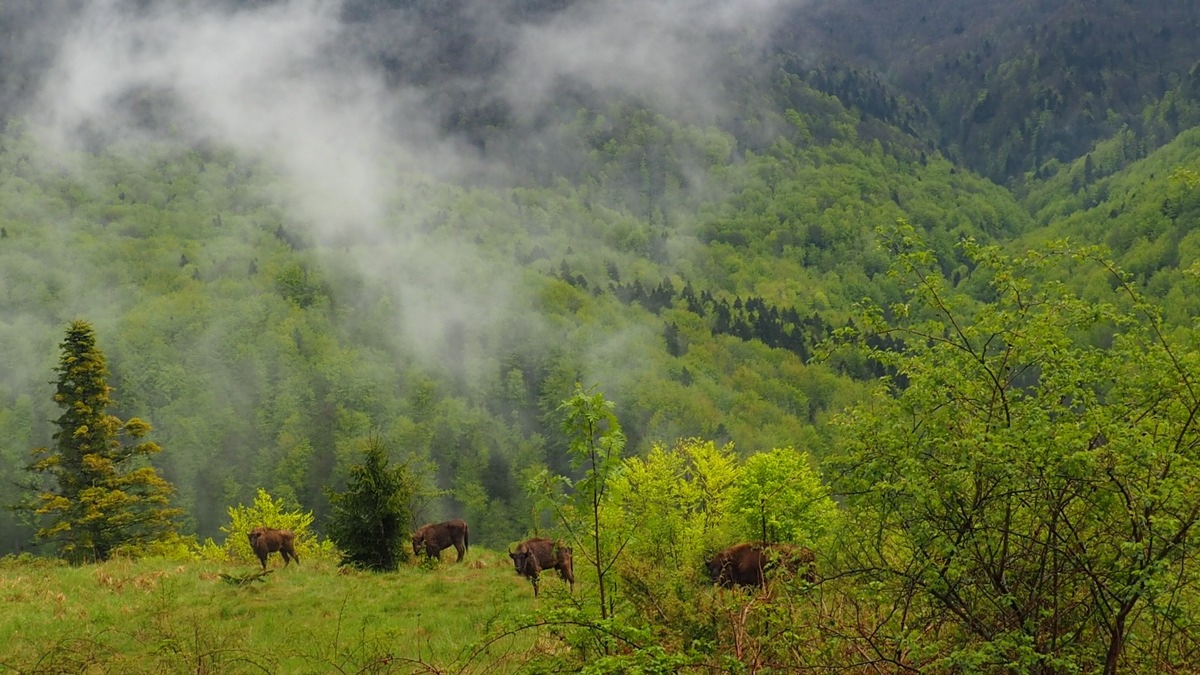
(104, 494)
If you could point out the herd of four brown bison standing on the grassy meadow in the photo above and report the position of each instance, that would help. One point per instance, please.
(741, 565)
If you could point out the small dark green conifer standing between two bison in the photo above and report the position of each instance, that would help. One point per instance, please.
(371, 517)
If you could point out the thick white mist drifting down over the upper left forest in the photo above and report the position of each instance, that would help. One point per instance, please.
(343, 98)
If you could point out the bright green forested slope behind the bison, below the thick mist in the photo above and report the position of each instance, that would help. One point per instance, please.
(257, 349)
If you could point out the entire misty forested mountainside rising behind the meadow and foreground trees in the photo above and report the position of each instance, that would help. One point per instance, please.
(686, 250)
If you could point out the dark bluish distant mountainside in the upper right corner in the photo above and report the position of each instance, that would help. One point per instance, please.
(1007, 91)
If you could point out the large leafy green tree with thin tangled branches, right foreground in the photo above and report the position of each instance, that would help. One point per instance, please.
(1031, 494)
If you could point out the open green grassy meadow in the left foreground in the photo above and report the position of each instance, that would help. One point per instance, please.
(160, 617)
